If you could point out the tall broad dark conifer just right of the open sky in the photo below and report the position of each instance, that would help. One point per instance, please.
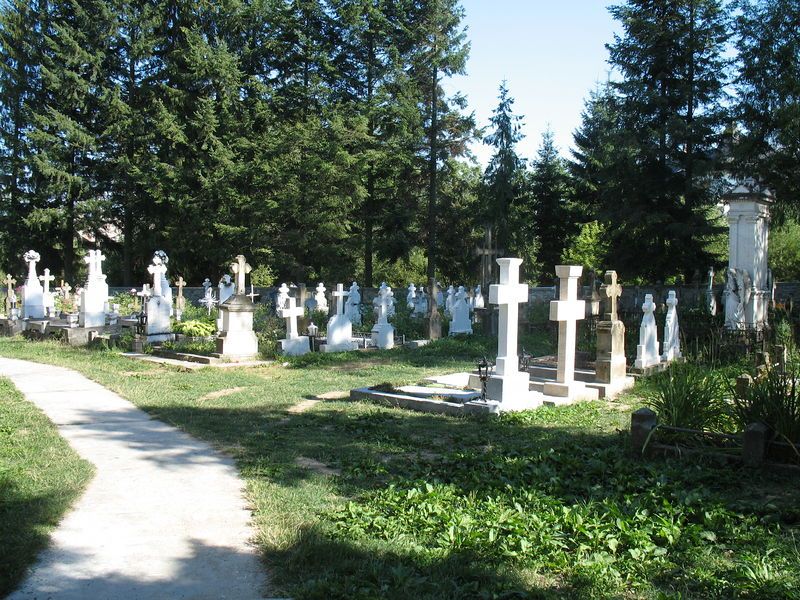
(671, 113)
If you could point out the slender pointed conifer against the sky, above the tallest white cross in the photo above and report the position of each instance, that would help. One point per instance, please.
(503, 180)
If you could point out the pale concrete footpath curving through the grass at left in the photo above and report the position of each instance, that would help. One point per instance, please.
(164, 516)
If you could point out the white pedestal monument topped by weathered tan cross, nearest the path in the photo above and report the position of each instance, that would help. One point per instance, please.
(236, 340)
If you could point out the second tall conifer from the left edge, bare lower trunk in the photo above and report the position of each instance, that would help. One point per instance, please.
(66, 119)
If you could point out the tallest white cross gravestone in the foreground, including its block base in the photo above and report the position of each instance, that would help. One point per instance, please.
(508, 386)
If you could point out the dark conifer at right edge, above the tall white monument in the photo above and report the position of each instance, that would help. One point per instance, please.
(769, 88)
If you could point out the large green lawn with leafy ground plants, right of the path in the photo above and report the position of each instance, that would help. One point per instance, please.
(360, 501)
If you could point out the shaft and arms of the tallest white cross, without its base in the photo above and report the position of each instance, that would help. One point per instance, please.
(509, 293)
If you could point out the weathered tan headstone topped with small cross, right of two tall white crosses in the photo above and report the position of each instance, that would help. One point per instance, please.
(610, 366)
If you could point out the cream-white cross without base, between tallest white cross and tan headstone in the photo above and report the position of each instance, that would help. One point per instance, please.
(567, 310)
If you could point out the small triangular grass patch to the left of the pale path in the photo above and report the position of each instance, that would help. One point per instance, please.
(40, 478)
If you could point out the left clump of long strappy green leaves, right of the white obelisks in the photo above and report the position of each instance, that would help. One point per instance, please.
(687, 395)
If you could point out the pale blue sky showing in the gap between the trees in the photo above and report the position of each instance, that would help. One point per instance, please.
(550, 53)
